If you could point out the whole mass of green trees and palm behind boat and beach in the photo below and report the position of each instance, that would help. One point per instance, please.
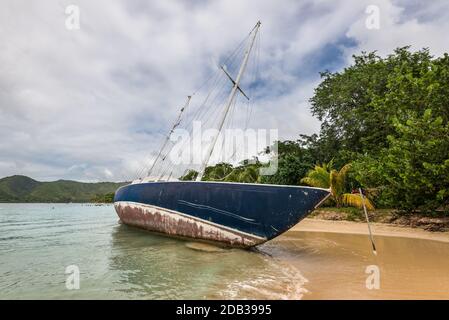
(387, 117)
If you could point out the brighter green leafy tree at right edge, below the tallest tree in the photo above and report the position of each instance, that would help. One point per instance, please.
(413, 171)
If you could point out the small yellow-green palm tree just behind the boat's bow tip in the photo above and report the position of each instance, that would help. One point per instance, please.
(325, 177)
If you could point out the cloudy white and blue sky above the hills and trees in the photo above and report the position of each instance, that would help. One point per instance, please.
(91, 104)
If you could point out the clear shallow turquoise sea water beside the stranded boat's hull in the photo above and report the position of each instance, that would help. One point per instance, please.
(39, 241)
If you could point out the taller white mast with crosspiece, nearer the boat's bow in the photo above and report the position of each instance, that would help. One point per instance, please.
(229, 101)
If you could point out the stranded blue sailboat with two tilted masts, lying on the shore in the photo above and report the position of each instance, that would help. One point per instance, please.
(225, 213)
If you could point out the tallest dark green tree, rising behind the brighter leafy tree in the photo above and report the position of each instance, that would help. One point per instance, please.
(357, 105)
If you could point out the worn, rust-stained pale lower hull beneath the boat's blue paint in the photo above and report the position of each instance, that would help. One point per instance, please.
(169, 222)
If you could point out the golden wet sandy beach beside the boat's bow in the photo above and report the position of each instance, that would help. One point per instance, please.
(333, 257)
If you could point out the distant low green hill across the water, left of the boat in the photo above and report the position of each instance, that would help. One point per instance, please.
(24, 189)
